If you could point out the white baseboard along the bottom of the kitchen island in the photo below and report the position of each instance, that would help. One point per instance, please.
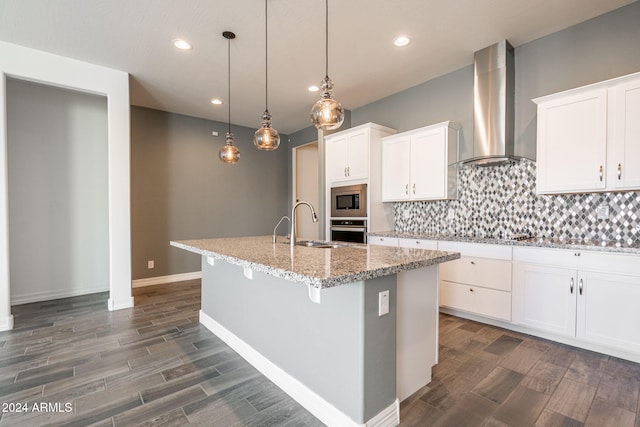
(311, 401)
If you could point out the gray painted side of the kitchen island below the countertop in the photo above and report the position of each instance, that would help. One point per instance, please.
(333, 347)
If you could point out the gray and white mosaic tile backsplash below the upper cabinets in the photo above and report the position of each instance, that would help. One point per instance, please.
(501, 201)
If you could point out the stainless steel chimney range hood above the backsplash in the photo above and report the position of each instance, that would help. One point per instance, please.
(493, 106)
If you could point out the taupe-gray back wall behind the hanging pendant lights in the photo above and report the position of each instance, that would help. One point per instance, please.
(180, 190)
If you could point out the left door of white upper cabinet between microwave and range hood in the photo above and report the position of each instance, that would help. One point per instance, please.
(395, 170)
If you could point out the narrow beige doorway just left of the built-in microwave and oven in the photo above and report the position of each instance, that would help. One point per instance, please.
(306, 186)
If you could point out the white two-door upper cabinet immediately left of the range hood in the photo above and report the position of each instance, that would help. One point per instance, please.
(420, 164)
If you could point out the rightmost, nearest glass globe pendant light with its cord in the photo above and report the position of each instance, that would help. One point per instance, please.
(327, 113)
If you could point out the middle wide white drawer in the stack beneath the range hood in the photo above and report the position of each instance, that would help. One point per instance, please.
(474, 271)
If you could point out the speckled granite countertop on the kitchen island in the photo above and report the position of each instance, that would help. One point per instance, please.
(318, 267)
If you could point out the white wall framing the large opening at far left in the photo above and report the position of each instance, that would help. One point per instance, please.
(41, 67)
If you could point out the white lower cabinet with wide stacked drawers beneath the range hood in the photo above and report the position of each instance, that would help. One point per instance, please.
(479, 282)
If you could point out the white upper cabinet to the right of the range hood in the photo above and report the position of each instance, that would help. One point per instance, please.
(588, 140)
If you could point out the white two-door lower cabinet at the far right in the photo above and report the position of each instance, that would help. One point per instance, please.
(591, 296)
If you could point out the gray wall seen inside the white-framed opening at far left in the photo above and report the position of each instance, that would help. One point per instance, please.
(58, 203)
